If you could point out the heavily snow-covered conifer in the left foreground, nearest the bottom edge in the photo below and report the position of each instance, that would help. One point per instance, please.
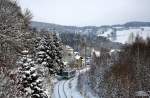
(30, 83)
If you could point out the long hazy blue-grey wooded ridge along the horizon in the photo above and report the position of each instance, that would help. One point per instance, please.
(86, 29)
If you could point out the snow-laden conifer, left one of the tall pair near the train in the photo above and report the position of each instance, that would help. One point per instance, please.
(42, 53)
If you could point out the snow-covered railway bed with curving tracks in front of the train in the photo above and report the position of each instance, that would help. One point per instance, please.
(67, 89)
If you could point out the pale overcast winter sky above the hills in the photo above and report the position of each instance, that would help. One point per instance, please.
(88, 12)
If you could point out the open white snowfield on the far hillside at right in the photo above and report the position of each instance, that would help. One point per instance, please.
(121, 35)
